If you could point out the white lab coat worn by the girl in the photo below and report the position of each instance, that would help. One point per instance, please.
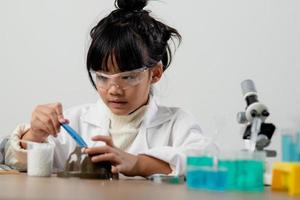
(169, 134)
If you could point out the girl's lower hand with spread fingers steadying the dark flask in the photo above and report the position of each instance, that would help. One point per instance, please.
(122, 162)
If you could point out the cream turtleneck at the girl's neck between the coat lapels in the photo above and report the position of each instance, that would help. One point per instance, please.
(124, 128)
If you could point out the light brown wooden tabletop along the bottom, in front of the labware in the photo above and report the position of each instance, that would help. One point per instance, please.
(21, 186)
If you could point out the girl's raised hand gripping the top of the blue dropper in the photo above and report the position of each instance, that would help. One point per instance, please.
(45, 121)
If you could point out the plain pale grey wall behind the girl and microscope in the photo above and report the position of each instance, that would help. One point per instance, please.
(43, 45)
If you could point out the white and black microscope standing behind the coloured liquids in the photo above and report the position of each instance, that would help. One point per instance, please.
(257, 134)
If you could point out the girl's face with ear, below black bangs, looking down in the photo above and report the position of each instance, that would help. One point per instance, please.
(125, 100)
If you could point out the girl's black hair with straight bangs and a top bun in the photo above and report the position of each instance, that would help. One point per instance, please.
(130, 36)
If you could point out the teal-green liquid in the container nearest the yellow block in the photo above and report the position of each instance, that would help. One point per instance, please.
(249, 175)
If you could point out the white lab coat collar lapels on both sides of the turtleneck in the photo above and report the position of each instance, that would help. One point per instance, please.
(97, 115)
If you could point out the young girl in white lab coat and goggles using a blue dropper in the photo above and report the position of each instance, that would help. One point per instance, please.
(129, 52)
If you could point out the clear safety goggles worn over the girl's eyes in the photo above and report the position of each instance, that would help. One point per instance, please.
(123, 80)
